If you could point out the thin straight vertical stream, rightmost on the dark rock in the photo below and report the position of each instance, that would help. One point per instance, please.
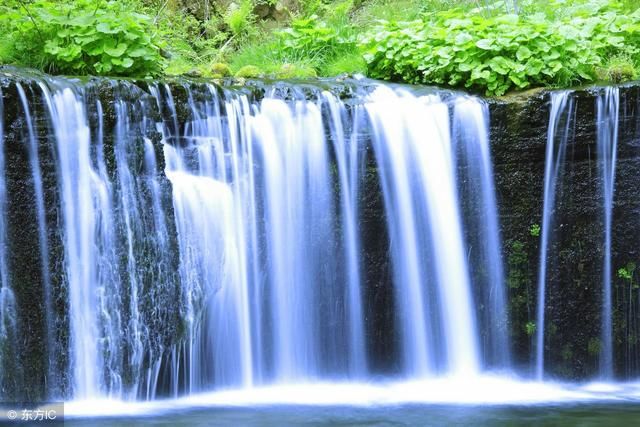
(607, 108)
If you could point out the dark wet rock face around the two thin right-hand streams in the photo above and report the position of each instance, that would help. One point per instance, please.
(575, 255)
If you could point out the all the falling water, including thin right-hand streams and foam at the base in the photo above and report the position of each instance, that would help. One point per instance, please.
(201, 245)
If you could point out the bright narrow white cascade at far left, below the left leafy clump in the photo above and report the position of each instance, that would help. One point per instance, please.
(78, 185)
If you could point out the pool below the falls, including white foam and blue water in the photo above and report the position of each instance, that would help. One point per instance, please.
(485, 401)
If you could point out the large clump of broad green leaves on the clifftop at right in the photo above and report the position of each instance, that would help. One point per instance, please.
(498, 53)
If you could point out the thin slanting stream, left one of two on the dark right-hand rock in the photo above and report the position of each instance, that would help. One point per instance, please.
(557, 135)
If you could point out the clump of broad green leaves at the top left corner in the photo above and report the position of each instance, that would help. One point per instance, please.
(85, 37)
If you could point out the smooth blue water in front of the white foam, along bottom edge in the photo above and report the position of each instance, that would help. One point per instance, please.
(619, 414)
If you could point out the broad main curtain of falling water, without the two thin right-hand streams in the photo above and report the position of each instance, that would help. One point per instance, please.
(212, 240)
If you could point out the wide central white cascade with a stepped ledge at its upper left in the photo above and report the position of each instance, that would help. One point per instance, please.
(275, 273)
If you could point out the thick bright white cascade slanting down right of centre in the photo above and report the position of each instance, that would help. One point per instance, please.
(412, 142)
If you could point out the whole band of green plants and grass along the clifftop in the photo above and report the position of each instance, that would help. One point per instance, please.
(478, 44)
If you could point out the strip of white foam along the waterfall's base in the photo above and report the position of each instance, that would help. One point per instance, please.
(481, 390)
